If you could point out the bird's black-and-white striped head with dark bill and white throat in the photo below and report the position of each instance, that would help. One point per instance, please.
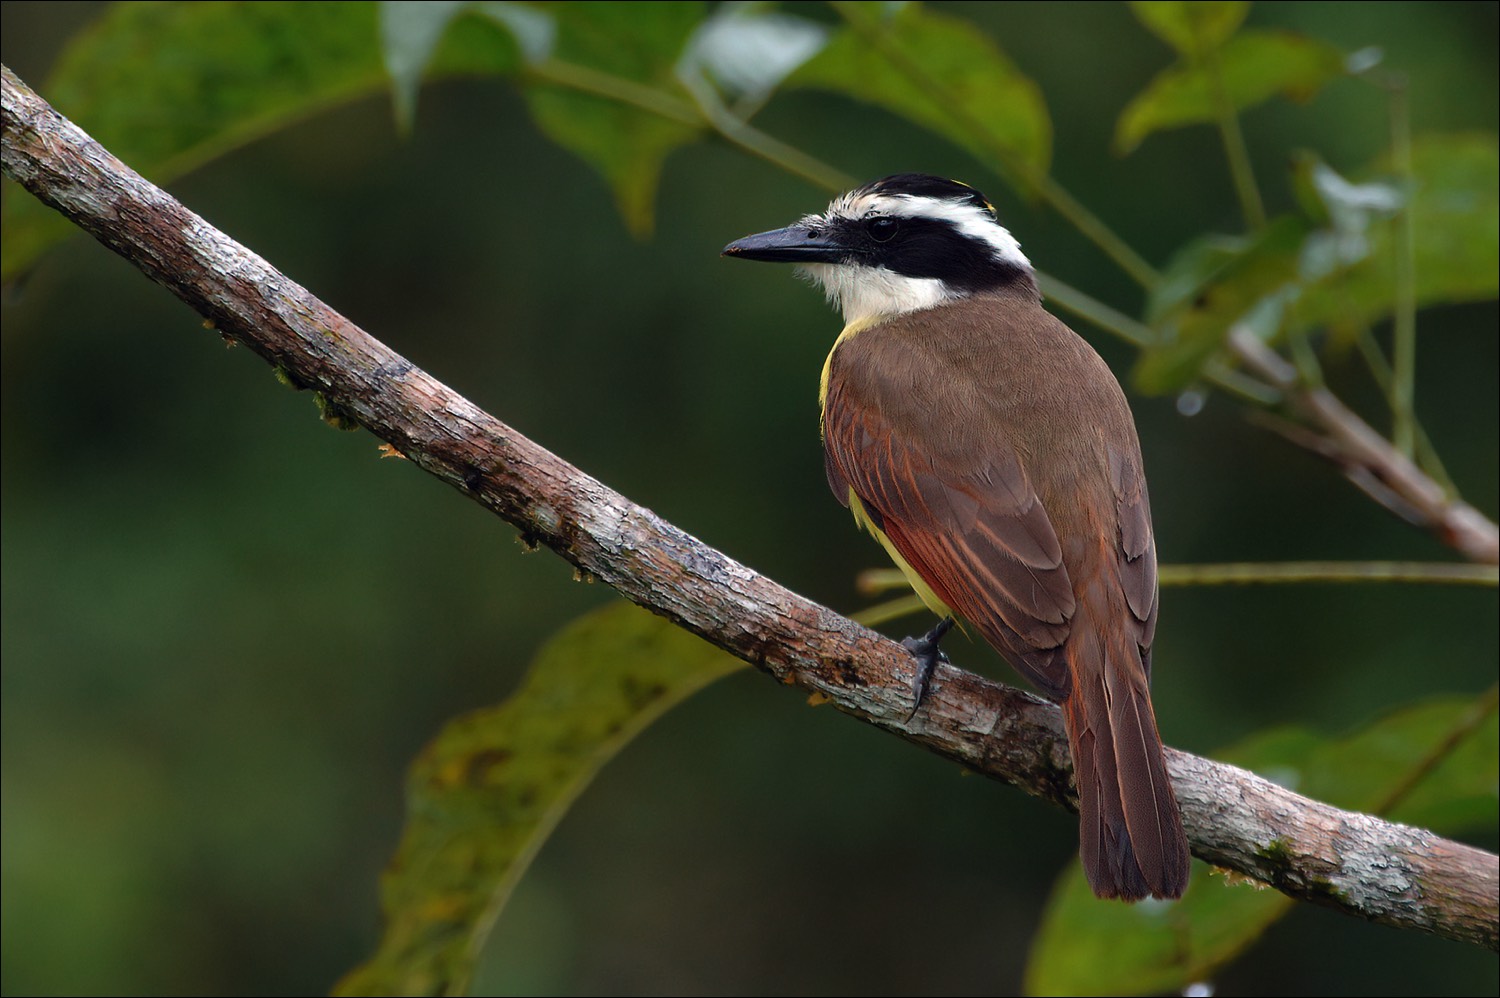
(898, 245)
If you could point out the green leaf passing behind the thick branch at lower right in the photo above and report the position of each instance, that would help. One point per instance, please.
(1439, 759)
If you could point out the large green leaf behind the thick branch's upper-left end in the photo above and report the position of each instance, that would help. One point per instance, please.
(170, 86)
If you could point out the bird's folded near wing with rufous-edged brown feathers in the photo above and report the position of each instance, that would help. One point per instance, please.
(977, 534)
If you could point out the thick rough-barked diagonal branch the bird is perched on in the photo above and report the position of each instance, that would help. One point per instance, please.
(1352, 862)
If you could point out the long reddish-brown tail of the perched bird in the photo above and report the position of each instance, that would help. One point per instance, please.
(1130, 829)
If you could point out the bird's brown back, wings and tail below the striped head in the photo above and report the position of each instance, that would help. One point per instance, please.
(997, 452)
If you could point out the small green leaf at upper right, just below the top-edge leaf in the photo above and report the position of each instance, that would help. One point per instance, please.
(1255, 67)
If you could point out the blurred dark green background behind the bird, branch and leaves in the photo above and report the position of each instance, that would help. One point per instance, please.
(227, 630)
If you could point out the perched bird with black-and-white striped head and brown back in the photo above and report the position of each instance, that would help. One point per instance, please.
(994, 455)
